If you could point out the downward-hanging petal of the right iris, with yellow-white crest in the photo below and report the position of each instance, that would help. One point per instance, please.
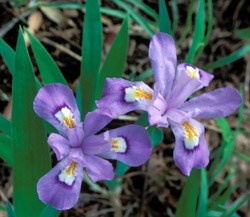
(191, 149)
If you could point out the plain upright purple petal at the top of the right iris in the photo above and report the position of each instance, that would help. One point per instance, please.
(162, 54)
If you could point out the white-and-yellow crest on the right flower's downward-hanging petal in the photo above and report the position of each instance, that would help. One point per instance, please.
(191, 135)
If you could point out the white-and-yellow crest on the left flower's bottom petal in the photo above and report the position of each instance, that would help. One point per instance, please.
(68, 174)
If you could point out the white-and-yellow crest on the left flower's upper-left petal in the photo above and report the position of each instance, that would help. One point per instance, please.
(65, 116)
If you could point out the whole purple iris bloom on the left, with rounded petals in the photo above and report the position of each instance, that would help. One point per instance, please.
(80, 148)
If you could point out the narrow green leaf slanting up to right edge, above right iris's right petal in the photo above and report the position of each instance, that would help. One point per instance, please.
(229, 59)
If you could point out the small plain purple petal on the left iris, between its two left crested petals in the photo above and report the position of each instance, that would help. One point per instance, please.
(59, 144)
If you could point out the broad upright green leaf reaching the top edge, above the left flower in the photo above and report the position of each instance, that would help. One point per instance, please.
(91, 56)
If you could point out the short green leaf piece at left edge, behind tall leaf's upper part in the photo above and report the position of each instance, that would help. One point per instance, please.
(8, 55)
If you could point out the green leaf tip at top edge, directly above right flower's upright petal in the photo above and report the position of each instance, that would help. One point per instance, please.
(164, 20)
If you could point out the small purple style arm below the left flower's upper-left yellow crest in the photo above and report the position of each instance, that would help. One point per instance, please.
(76, 135)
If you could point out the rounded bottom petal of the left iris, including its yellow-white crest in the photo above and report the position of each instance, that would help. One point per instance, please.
(61, 186)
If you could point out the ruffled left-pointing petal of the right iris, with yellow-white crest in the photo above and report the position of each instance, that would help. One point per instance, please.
(121, 96)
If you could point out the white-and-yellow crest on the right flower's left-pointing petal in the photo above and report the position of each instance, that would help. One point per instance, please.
(137, 93)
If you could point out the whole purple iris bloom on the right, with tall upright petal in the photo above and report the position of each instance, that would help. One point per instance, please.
(168, 104)
